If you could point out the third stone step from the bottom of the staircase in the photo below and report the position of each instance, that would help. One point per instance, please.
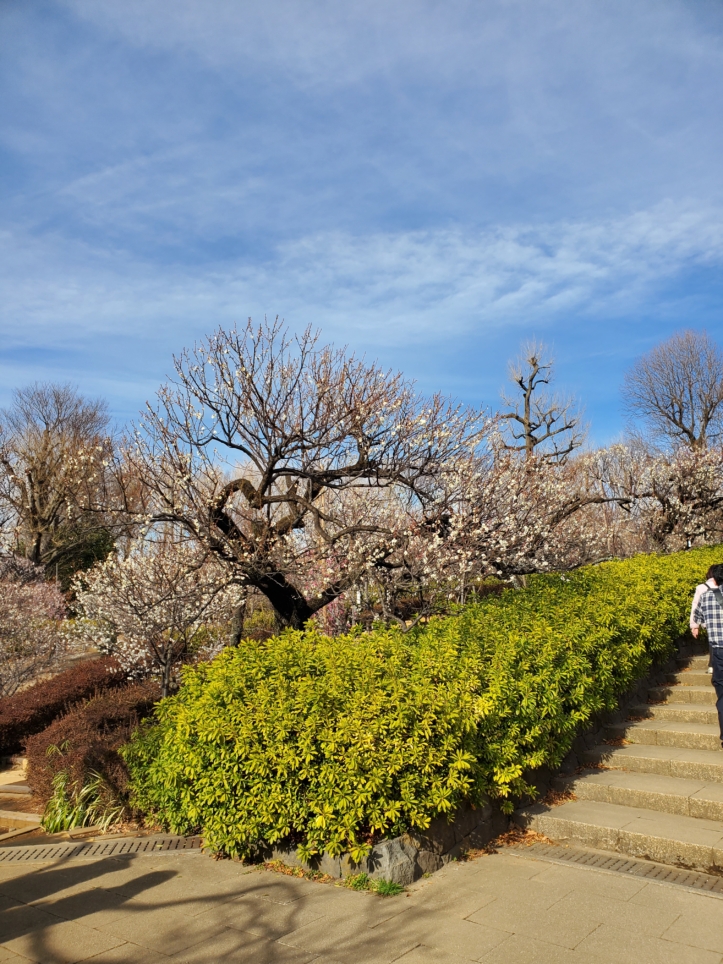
(683, 762)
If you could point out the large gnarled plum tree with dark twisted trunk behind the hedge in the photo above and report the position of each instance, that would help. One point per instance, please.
(268, 450)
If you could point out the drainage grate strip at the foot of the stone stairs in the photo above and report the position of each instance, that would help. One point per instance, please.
(621, 865)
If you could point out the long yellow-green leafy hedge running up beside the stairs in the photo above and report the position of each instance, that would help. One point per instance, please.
(329, 742)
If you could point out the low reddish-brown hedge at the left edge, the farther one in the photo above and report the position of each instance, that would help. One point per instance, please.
(32, 710)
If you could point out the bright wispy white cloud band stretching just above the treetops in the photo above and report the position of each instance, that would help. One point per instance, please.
(383, 288)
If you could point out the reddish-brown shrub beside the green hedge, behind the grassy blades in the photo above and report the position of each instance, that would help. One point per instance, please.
(87, 739)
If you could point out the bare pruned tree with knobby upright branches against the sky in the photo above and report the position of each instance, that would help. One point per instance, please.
(539, 422)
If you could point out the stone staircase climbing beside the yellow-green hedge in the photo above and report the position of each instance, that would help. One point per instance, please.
(654, 788)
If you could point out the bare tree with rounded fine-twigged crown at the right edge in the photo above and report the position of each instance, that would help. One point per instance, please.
(677, 389)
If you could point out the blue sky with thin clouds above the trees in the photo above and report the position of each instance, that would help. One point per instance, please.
(429, 183)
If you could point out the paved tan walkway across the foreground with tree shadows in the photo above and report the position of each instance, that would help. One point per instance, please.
(497, 909)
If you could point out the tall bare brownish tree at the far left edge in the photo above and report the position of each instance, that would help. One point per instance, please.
(55, 451)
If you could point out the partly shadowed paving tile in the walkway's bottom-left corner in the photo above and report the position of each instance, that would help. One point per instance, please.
(38, 936)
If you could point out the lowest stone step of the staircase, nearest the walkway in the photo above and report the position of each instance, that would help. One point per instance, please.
(683, 841)
